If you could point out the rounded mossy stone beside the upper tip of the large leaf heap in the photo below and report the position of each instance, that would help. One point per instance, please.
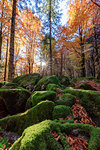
(67, 99)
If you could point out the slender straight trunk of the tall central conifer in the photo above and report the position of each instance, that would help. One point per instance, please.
(50, 38)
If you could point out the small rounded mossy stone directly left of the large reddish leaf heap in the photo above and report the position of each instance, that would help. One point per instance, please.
(61, 111)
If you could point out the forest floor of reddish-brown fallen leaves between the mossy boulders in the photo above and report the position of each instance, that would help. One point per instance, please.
(80, 116)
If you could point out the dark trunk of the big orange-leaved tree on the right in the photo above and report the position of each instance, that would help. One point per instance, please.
(82, 53)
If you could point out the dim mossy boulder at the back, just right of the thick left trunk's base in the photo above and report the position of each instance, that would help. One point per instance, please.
(27, 80)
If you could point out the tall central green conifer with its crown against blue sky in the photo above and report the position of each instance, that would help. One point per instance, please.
(48, 11)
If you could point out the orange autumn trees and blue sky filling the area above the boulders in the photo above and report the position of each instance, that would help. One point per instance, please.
(33, 39)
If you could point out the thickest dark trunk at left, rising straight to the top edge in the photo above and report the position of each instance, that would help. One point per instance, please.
(11, 50)
